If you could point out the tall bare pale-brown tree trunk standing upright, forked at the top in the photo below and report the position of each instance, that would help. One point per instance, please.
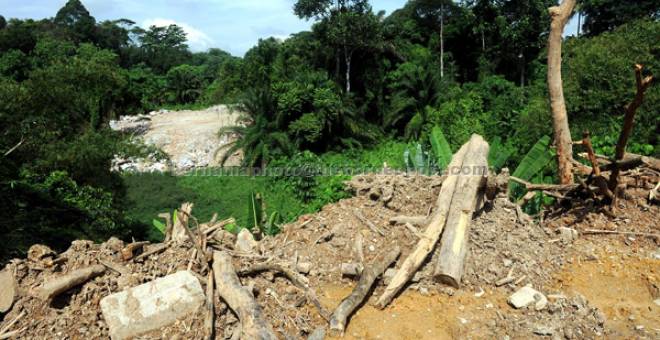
(562, 133)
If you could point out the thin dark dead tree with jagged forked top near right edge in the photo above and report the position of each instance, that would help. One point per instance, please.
(642, 85)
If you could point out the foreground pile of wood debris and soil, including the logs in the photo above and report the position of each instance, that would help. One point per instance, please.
(387, 239)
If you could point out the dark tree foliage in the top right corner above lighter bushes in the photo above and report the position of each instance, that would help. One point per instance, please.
(605, 15)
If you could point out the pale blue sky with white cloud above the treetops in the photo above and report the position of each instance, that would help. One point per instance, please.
(232, 25)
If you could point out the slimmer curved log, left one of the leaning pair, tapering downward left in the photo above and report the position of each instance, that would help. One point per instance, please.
(432, 234)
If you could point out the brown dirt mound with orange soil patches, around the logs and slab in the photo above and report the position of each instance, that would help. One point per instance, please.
(508, 251)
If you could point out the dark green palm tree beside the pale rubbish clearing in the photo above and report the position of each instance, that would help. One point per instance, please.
(258, 135)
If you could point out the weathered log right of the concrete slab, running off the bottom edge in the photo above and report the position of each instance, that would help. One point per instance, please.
(240, 299)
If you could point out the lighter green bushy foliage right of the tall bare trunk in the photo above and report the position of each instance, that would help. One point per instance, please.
(600, 81)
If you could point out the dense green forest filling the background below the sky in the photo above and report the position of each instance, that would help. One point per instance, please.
(357, 81)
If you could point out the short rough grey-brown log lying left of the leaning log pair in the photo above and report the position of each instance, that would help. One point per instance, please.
(369, 276)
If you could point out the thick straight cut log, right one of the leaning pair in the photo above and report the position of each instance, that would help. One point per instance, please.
(454, 243)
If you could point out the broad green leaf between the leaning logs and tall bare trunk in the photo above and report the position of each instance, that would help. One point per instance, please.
(532, 164)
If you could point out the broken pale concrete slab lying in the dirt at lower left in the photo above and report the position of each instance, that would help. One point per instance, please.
(152, 305)
